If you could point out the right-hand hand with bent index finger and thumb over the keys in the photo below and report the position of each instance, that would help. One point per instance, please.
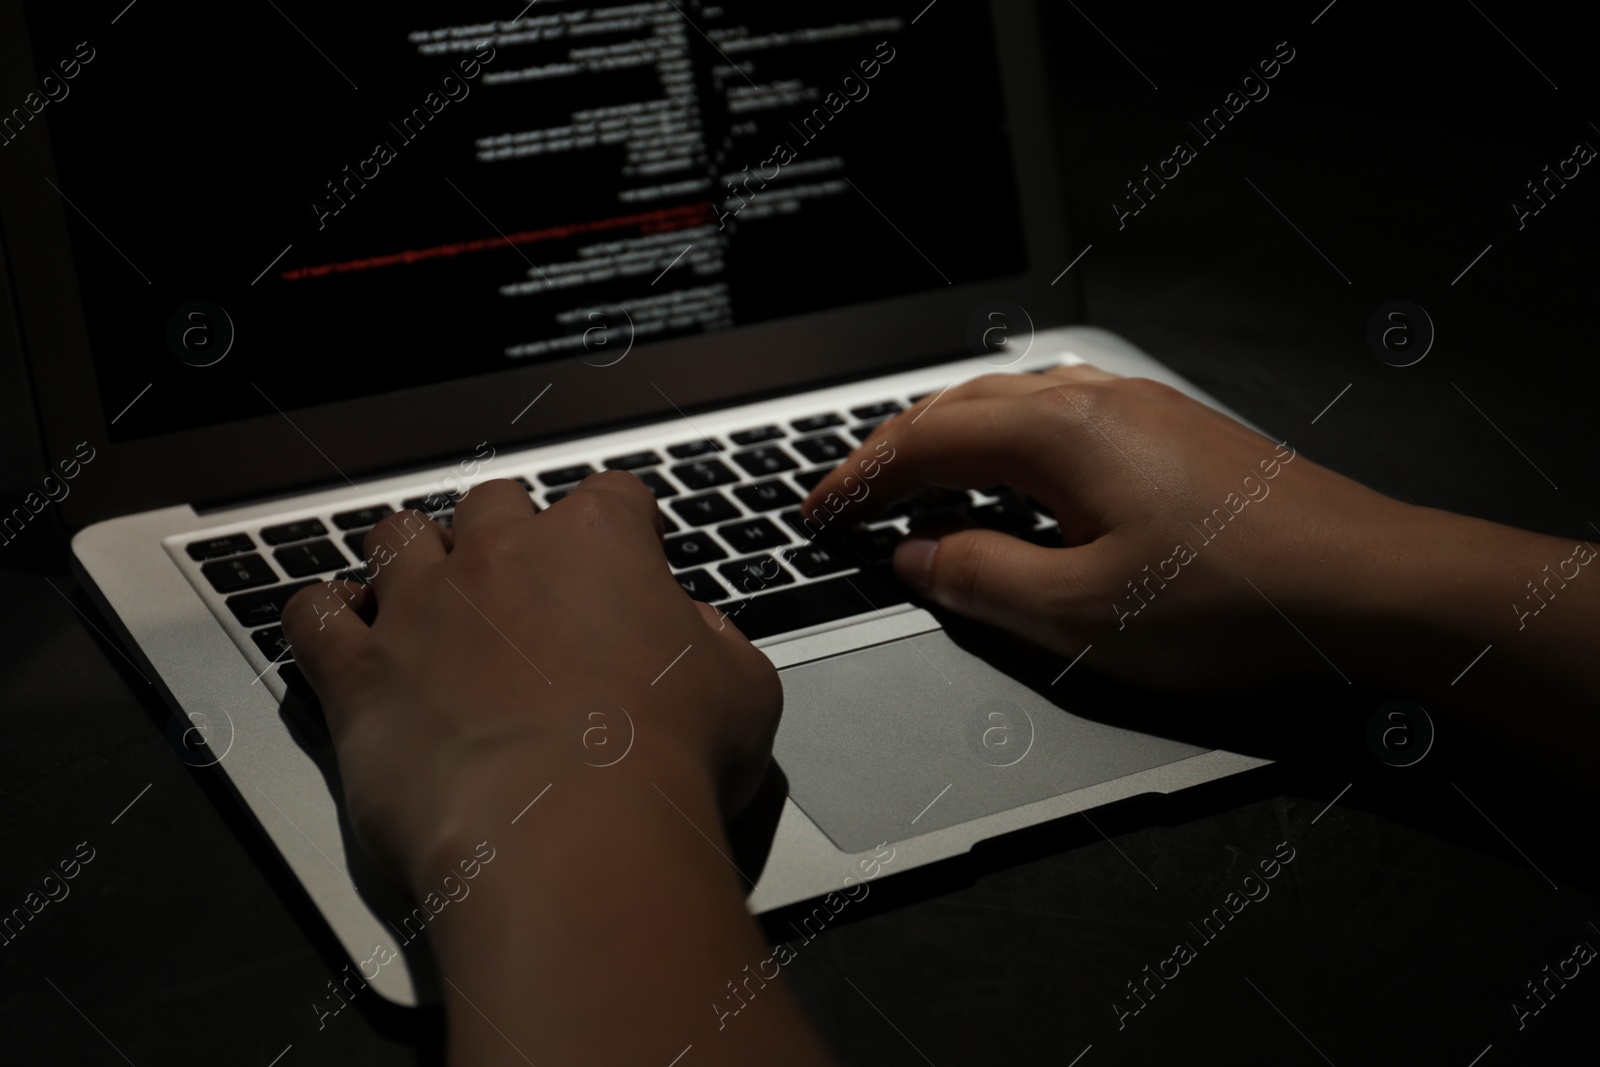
(1190, 538)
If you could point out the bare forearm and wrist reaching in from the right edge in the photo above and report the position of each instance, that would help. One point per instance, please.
(1495, 628)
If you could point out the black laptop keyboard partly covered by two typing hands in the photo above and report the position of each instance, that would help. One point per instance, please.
(732, 513)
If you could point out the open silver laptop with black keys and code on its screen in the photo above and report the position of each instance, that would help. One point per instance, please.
(270, 292)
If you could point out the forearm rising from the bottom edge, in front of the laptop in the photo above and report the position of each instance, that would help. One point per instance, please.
(606, 932)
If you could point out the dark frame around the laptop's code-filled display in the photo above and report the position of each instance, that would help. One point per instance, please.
(273, 457)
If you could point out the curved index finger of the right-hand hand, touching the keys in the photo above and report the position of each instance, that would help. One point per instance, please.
(964, 444)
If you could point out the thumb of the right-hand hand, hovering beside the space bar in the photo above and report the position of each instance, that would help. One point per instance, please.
(990, 577)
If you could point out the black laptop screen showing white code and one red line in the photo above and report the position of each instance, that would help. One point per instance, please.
(324, 202)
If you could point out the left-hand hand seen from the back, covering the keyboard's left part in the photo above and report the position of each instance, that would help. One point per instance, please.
(494, 644)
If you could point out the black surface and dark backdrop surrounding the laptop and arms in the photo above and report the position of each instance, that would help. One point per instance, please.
(1407, 922)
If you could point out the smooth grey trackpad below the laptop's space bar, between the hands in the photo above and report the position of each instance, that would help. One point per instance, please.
(919, 735)
